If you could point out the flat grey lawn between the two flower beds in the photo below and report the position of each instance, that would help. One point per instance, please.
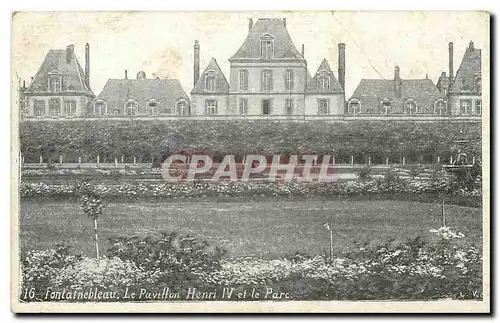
(268, 228)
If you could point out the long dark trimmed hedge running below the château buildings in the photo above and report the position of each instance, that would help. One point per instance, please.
(147, 140)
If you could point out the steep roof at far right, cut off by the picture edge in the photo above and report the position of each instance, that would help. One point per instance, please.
(469, 69)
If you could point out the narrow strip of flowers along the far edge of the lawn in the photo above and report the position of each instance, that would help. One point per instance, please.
(256, 188)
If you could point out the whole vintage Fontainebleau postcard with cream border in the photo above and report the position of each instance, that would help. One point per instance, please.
(315, 161)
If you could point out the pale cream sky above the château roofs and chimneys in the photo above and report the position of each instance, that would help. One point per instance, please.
(161, 43)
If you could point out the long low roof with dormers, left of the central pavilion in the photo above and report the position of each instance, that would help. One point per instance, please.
(117, 91)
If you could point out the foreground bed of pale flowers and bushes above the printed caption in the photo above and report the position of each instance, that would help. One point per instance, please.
(173, 268)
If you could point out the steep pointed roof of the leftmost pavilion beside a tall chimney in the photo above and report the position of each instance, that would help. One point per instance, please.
(56, 62)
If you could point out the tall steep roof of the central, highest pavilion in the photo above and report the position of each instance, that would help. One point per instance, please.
(275, 28)
